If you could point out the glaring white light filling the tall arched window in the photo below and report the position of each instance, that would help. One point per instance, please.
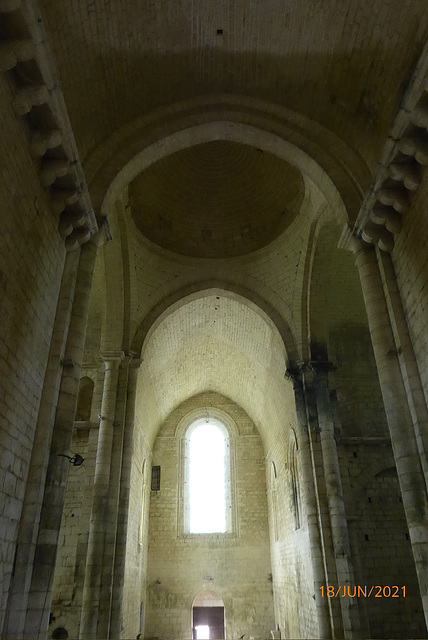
(207, 449)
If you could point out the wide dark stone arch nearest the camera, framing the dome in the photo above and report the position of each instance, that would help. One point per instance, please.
(293, 137)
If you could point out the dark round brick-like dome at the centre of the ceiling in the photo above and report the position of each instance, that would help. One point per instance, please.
(234, 197)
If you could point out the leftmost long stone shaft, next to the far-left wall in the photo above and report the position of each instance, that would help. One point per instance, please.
(30, 517)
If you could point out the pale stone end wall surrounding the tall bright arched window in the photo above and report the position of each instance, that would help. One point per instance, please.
(235, 565)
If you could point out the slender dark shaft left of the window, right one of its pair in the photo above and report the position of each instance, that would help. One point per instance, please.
(123, 503)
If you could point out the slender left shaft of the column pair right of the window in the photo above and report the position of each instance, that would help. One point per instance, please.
(310, 506)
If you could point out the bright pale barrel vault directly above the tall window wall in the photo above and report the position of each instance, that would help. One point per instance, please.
(212, 342)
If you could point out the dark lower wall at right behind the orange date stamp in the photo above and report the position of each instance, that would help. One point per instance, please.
(381, 548)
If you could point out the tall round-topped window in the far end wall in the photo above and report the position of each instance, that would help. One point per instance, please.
(207, 495)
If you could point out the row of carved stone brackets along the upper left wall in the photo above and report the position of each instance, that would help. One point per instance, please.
(25, 56)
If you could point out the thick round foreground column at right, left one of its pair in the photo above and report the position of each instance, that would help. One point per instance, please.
(403, 439)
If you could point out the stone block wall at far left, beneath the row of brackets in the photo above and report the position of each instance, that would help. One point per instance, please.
(31, 261)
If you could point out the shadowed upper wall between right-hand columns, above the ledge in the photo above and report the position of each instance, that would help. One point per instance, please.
(339, 322)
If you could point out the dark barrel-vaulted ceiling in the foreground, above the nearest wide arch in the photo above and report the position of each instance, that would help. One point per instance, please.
(341, 63)
